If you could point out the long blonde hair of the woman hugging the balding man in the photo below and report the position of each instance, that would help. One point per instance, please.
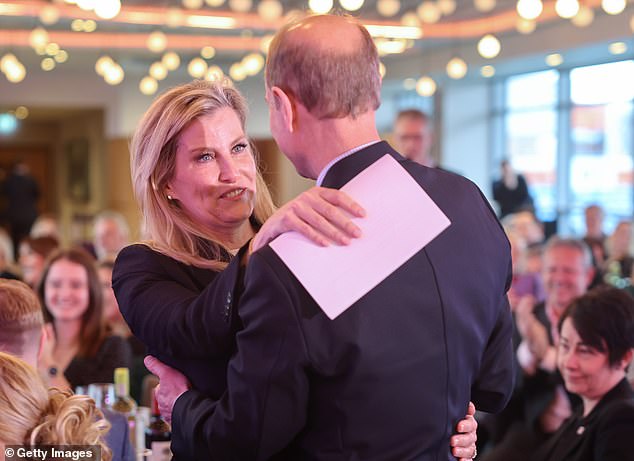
(152, 163)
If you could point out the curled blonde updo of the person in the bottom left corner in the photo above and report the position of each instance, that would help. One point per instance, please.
(34, 415)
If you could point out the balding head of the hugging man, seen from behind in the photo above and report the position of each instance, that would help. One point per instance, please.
(322, 84)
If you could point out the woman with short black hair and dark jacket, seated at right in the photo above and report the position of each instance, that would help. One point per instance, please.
(595, 349)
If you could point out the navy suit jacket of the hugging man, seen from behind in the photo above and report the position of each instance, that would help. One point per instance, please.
(390, 377)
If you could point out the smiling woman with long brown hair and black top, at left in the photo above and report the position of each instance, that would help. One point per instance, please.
(77, 351)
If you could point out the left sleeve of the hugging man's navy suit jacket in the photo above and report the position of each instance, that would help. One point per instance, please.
(265, 404)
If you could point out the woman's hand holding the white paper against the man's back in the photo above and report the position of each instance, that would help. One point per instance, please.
(320, 214)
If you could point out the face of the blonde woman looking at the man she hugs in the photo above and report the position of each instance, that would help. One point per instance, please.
(214, 178)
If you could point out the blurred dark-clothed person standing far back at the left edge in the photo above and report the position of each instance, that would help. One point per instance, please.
(22, 192)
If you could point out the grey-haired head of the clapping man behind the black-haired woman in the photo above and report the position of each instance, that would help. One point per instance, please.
(567, 272)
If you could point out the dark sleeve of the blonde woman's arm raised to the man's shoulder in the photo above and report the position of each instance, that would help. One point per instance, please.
(167, 315)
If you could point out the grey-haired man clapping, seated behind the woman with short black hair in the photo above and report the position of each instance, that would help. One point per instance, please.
(541, 403)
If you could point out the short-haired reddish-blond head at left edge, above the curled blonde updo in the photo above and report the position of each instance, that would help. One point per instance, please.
(21, 320)
